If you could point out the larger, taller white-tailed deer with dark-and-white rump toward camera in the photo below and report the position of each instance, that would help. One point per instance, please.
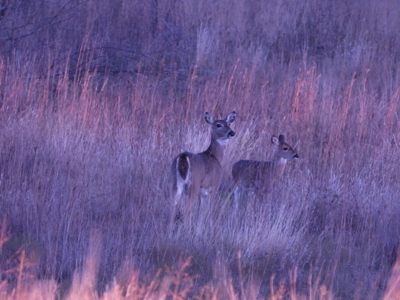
(199, 175)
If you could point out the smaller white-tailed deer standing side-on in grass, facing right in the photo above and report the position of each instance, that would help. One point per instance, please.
(261, 176)
